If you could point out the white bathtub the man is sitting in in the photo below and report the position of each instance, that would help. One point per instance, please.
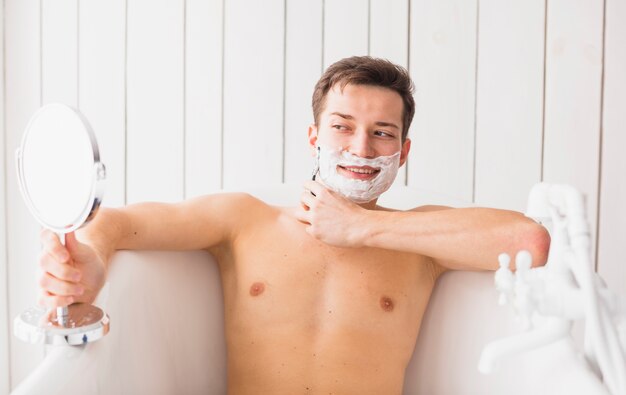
(150, 349)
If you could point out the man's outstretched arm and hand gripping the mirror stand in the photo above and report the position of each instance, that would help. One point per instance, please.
(76, 272)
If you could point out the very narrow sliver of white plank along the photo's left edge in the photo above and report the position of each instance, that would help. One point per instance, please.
(4, 264)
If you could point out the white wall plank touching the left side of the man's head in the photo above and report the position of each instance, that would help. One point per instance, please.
(303, 69)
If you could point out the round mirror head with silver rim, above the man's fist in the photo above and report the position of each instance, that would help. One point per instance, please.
(59, 168)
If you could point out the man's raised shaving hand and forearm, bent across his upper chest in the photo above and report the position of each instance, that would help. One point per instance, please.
(455, 238)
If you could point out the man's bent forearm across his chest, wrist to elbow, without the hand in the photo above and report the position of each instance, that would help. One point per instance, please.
(457, 238)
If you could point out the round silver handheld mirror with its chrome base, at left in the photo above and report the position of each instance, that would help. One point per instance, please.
(61, 179)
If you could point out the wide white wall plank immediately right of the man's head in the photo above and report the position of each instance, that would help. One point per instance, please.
(442, 63)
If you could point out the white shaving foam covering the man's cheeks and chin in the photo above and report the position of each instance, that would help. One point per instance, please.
(359, 191)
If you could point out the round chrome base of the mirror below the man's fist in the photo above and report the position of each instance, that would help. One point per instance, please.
(84, 324)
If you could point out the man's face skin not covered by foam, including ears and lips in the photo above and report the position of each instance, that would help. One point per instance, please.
(363, 120)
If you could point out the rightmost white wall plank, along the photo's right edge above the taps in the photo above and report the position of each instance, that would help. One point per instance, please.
(613, 183)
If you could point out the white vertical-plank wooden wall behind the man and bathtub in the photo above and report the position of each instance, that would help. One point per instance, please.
(188, 96)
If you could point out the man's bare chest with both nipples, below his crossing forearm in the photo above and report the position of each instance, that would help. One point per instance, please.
(283, 278)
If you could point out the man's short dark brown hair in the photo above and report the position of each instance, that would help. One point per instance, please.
(366, 70)
